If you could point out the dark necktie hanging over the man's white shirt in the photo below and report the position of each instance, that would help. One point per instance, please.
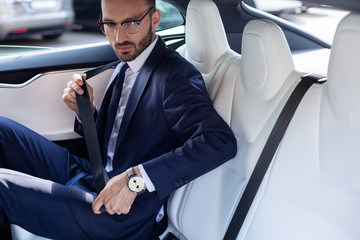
(116, 88)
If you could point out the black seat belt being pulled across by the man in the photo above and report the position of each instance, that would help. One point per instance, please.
(90, 134)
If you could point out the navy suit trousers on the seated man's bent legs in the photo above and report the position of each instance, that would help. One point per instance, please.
(35, 193)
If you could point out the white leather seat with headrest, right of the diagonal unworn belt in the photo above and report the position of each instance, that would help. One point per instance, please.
(312, 189)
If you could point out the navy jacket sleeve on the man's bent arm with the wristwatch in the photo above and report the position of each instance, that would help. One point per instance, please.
(207, 140)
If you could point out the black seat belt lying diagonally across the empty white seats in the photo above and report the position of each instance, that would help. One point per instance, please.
(268, 153)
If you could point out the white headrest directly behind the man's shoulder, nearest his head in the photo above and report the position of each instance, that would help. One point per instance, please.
(205, 35)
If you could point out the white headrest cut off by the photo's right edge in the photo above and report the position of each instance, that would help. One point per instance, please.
(344, 71)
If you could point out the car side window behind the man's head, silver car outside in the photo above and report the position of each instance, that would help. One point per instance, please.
(69, 23)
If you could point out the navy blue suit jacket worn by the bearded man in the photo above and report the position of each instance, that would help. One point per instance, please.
(170, 126)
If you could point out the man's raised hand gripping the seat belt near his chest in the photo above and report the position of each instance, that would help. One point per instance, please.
(74, 86)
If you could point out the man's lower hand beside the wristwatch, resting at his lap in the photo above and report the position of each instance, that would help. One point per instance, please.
(116, 196)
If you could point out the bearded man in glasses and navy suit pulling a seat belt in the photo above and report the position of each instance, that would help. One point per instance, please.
(165, 134)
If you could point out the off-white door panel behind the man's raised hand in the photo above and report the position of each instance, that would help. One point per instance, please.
(38, 104)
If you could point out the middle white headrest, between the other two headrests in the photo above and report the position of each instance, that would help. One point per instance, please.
(266, 57)
